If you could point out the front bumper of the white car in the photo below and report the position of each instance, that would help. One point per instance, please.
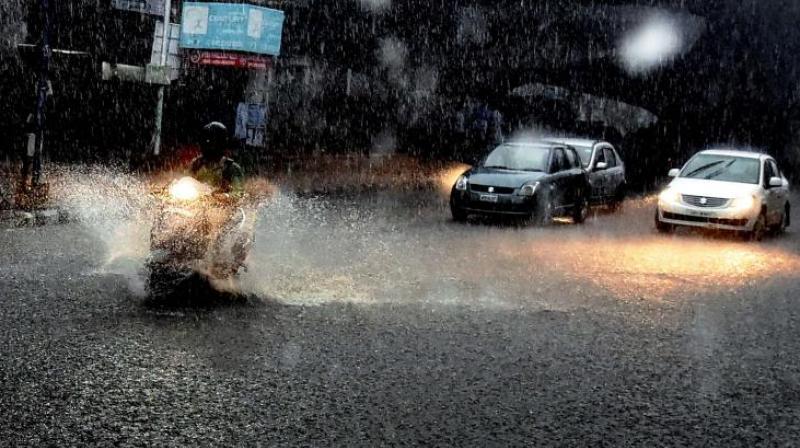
(710, 218)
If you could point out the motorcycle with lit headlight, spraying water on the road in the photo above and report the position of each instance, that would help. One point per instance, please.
(196, 232)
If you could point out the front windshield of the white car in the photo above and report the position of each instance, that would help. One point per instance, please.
(723, 168)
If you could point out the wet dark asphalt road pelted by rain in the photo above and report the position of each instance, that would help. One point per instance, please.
(376, 321)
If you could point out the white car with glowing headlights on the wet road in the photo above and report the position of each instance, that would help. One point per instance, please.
(726, 189)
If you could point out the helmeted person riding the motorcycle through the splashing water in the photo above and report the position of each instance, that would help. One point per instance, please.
(223, 174)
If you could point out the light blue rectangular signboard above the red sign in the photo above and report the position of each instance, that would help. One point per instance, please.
(232, 27)
